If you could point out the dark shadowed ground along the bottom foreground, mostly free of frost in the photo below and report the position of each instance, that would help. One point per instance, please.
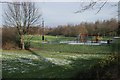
(78, 69)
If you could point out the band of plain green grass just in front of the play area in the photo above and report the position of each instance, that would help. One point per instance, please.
(74, 48)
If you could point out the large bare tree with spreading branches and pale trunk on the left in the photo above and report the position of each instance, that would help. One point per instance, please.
(22, 15)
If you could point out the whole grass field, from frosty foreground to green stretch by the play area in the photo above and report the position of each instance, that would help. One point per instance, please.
(54, 60)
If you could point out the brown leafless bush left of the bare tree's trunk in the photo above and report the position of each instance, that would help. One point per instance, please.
(9, 38)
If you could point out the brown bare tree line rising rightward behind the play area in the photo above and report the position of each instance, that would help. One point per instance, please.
(105, 27)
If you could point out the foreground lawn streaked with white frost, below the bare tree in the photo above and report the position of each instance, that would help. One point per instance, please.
(44, 64)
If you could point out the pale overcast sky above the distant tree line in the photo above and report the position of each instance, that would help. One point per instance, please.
(62, 13)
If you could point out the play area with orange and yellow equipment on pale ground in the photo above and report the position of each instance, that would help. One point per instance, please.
(86, 39)
